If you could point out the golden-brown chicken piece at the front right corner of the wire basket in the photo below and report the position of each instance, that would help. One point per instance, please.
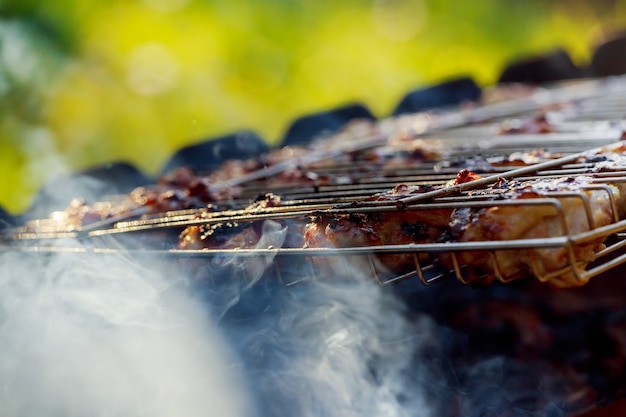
(527, 220)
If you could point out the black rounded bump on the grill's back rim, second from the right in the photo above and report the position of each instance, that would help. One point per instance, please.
(552, 66)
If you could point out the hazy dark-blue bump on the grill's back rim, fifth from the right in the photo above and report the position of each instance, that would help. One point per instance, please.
(211, 153)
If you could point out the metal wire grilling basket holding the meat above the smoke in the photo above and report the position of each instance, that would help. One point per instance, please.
(587, 119)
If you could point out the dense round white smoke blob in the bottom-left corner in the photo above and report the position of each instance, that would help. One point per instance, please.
(103, 336)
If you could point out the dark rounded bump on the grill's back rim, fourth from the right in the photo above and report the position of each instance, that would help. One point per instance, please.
(307, 128)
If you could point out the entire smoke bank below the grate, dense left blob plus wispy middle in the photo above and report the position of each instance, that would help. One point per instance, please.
(104, 335)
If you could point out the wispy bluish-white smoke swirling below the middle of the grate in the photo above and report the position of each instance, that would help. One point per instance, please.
(334, 348)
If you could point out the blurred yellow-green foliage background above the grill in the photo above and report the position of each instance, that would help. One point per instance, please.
(83, 82)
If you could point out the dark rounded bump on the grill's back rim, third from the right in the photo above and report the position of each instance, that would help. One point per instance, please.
(448, 93)
